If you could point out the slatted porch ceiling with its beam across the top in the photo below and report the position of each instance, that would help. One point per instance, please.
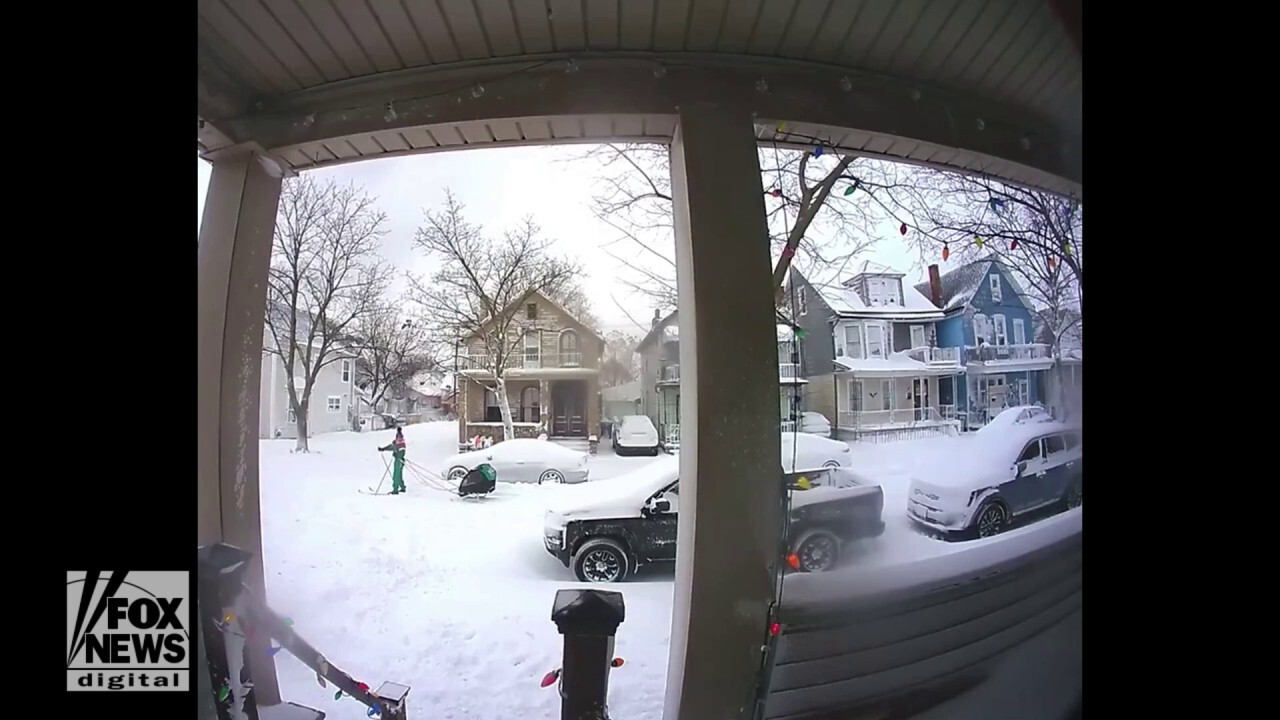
(980, 85)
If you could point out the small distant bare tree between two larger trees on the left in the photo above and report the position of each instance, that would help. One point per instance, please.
(394, 350)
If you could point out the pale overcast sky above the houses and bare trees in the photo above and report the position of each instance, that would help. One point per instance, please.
(501, 186)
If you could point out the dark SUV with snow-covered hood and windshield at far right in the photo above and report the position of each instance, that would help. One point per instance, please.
(999, 476)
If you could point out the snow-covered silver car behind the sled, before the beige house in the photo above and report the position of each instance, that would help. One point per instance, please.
(523, 461)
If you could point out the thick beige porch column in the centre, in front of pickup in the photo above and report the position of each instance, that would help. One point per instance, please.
(730, 473)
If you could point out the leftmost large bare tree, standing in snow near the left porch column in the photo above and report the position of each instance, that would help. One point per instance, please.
(326, 276)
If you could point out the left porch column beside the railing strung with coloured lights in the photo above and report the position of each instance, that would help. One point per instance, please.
(232, 261)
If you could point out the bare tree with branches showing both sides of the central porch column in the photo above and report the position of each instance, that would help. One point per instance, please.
(817, 203)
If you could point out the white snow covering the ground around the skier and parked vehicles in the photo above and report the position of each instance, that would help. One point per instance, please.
(454, 596)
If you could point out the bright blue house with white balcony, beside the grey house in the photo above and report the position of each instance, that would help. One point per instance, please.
(988, 317)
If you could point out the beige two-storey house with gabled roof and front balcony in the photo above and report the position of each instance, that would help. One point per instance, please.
(552, 377)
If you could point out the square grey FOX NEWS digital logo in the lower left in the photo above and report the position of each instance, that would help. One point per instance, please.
(127, 631)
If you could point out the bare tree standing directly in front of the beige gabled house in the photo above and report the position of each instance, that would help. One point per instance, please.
(481, 286)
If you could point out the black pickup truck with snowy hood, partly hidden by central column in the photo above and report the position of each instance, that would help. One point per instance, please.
(607, 531)
